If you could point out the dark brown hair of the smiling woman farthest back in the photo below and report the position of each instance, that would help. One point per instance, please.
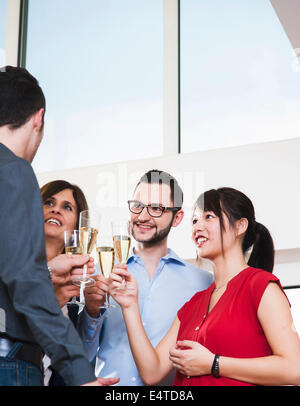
(56, 186)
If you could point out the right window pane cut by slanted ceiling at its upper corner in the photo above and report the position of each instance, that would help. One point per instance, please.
(239, 84)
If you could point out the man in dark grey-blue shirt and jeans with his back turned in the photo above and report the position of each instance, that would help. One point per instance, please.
(33, 322)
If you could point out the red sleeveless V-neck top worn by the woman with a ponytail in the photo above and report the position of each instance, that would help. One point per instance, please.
(231, 328)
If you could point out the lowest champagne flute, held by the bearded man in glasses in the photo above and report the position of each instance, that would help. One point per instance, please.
(106, 255)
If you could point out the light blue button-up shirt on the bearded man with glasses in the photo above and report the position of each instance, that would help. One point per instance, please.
(174, 283)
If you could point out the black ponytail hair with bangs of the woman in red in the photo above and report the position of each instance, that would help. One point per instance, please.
(236, 205)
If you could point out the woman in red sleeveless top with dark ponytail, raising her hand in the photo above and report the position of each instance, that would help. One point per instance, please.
(240, 330)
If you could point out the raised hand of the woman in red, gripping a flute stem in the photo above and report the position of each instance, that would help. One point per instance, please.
(116, 282)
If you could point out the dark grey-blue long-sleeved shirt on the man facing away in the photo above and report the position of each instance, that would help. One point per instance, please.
(29, 308)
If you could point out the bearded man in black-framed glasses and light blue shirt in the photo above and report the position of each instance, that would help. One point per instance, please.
(165, 282)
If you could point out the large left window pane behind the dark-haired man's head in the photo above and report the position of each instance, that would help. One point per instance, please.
(100, 63)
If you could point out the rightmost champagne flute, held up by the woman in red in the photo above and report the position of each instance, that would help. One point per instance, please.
(122, 241)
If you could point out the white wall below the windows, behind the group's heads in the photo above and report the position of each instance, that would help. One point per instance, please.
(267, 173)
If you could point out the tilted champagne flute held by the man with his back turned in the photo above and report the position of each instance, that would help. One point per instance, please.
(88, 230)
